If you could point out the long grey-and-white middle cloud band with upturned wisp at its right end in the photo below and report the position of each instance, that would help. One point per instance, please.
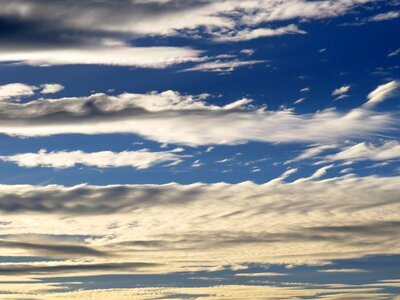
(170, 117)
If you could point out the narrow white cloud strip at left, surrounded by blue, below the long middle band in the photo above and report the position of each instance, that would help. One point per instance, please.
(141, 159)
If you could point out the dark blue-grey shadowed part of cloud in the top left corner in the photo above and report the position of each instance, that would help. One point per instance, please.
(41, 24)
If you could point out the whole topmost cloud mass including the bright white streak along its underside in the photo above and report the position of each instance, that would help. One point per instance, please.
(45, 32)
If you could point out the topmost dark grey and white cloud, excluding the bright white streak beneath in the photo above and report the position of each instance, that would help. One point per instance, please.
(47, 23)
